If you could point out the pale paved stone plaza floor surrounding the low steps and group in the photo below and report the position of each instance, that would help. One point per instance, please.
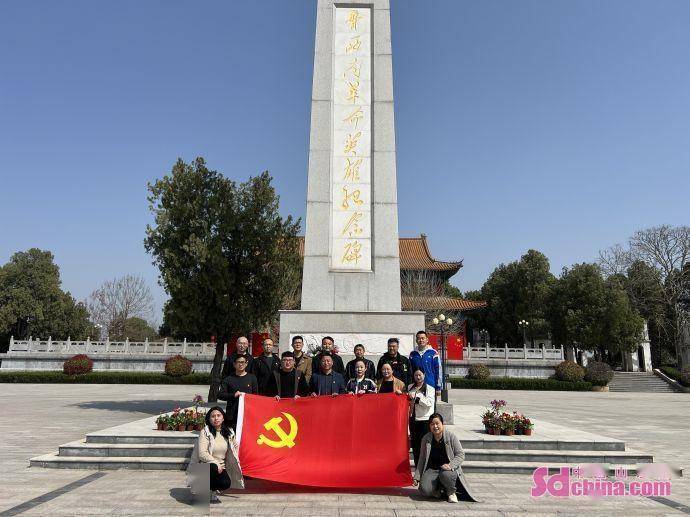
(655, 423)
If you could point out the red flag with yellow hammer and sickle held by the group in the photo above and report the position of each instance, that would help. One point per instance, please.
(343, 441)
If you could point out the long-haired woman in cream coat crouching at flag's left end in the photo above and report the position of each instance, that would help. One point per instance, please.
(217, 447)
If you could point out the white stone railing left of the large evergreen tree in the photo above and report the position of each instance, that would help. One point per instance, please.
(165, 347)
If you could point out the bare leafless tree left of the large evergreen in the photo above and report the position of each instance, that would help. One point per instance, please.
(114, 302)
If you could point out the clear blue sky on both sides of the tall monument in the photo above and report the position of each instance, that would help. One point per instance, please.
(556, 125)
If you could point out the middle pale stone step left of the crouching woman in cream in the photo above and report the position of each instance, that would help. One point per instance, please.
(169, 450)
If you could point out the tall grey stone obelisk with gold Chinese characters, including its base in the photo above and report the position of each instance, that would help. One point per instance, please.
(351, 276)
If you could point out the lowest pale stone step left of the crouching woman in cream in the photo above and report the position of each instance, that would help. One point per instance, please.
(108, 463)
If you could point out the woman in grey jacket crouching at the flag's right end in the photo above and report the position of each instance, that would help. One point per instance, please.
(439, 464)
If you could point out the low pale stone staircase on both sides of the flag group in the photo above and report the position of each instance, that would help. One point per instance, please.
(139, 446)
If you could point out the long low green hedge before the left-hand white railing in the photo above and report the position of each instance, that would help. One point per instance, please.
(58, 377)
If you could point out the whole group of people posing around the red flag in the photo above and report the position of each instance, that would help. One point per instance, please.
(437, 453)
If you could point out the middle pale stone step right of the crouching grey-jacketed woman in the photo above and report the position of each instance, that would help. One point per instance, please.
(557, 456)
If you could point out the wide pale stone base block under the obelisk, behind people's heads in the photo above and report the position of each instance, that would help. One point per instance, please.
(372, 329)
